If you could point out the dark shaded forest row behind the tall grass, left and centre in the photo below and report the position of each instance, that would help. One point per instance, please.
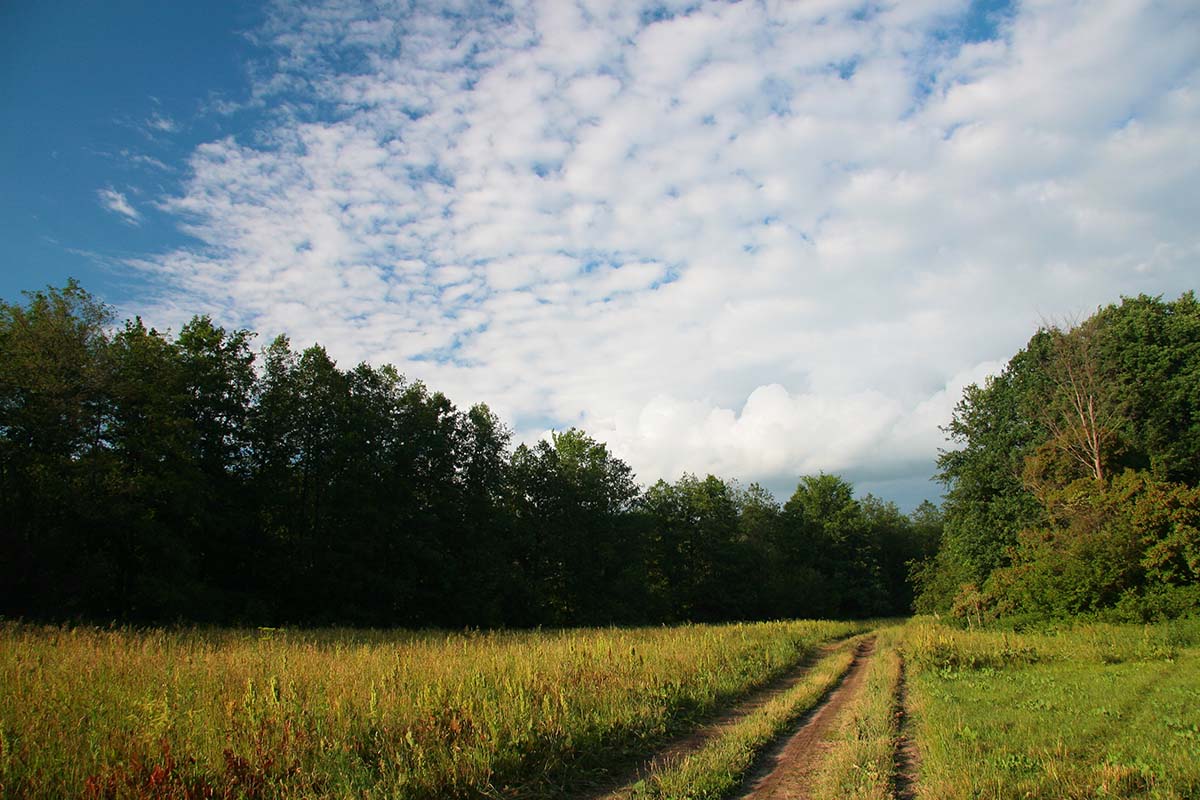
(158, 478)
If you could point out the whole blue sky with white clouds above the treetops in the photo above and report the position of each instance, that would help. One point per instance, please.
(753, 239)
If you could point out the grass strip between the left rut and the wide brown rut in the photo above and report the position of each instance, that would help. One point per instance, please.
(712, 772)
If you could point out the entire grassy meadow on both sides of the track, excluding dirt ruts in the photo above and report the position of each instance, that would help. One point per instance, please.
(1082, 712)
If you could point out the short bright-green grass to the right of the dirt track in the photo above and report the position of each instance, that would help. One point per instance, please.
(1089, 712)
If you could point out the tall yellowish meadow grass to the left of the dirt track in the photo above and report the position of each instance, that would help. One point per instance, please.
(265, 714)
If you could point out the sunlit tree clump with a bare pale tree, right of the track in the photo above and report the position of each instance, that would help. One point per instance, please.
(1073, 488)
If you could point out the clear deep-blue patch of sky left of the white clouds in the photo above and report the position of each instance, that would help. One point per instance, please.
(103, 95)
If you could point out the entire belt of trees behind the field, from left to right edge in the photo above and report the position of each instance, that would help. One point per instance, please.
(158, 478)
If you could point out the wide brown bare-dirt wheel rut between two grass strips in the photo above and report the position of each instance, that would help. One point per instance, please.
(788, 772)
